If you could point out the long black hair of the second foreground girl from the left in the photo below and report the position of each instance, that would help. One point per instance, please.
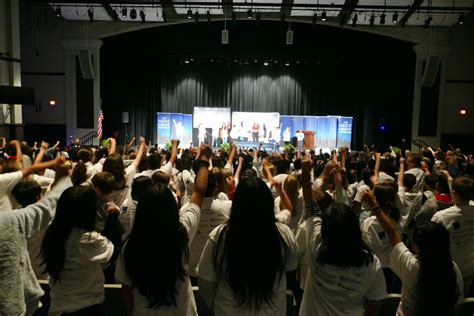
(154, 271)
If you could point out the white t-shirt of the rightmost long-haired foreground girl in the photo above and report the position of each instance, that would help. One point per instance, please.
(406, 266)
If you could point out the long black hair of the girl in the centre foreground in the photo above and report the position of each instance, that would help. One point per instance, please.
(250, 253)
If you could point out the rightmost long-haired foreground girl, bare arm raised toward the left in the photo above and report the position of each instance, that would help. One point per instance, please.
(431, 282)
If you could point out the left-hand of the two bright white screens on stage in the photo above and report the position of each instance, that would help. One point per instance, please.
(211, 125)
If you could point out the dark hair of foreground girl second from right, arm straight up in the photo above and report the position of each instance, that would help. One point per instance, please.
(342, 239)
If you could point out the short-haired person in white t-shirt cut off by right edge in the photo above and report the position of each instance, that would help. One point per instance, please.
(459, 221)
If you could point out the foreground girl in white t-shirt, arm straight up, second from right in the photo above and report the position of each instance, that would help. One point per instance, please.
(345, 277)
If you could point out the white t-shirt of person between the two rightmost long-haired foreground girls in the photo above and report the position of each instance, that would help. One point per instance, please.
(376, 238)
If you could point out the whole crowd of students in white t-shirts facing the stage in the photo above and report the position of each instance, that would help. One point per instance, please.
(339, 230)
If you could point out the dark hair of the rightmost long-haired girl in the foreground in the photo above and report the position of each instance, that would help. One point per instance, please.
(436, 289)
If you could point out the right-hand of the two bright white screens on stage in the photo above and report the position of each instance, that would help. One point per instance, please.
(255, 127)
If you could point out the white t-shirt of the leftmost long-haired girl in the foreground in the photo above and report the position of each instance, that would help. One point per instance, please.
(81, 281)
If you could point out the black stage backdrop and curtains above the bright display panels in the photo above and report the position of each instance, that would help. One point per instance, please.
(333, 71)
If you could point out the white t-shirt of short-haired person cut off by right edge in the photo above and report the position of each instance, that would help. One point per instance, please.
(459, 221)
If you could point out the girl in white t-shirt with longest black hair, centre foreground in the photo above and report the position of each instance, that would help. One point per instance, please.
(242, 268)
